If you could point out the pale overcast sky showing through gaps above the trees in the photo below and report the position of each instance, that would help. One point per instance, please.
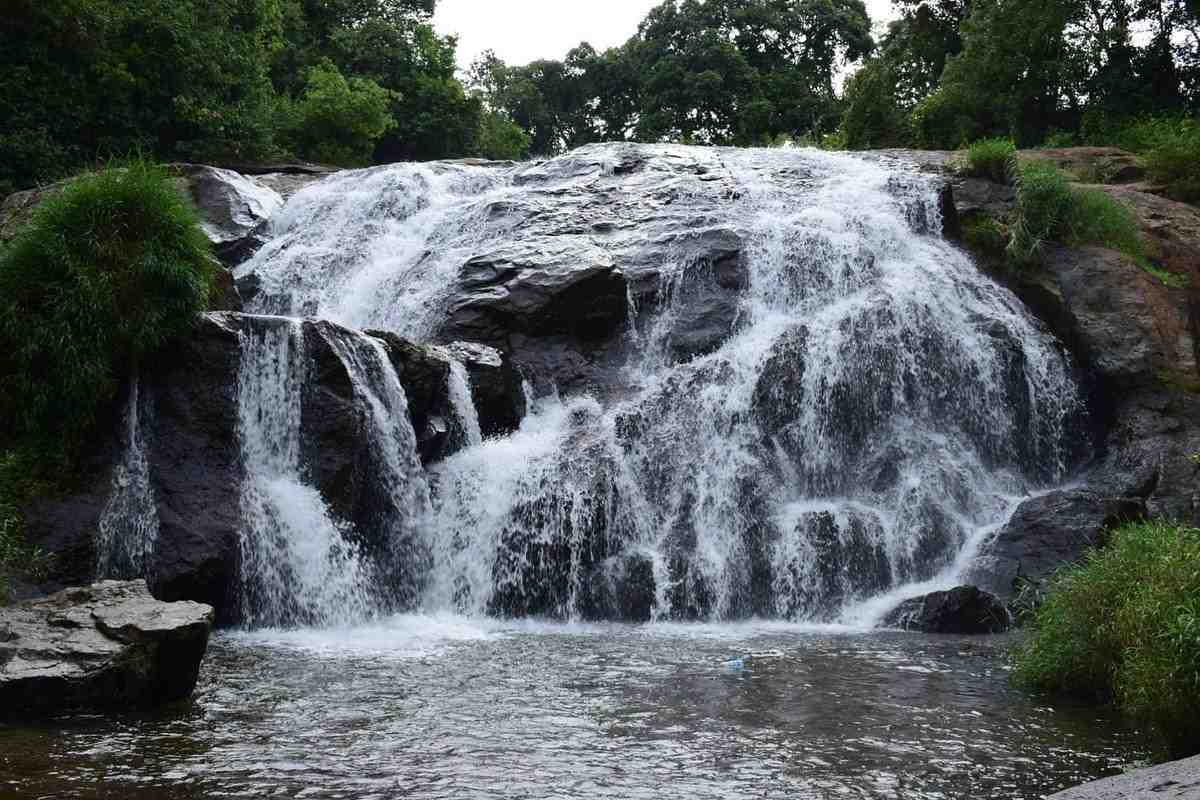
(526, 31)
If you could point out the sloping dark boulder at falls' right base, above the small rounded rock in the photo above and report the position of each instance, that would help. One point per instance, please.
(1046, 534)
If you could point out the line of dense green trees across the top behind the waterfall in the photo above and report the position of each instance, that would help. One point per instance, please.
(357, 82)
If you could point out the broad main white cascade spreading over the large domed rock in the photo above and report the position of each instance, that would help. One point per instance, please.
(875, 410)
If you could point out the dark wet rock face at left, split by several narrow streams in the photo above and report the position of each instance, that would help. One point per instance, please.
(190, 422)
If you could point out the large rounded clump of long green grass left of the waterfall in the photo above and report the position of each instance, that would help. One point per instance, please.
(109, 270)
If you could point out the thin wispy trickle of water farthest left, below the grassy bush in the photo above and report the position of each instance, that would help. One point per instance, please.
(129, 525)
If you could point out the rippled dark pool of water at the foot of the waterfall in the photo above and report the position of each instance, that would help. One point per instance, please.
(453, 708)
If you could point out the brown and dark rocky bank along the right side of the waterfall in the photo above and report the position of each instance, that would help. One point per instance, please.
(1137, 340)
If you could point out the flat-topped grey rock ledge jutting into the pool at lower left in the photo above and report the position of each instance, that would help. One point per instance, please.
(106, 646)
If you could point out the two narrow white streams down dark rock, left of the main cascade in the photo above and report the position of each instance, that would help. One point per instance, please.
(301, 564)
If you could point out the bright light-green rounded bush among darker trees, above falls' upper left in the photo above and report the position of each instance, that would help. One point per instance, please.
(339, 121)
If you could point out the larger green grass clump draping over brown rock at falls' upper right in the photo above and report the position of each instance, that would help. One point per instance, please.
(1049, 209)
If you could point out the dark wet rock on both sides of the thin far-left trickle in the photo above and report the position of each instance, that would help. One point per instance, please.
(194, 461)
